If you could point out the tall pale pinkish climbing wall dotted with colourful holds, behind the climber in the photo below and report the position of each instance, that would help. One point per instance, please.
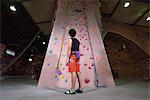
(77, 15)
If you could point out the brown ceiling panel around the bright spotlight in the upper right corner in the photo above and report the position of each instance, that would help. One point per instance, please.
(130, 14)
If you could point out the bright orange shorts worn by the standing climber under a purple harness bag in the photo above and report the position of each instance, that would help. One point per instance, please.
(74, 65)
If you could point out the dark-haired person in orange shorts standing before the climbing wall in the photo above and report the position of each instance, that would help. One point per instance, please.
(73, 56)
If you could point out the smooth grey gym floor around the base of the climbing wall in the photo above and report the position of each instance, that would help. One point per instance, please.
(26, 89)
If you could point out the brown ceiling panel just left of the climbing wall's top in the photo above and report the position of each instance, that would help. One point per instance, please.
(40, 10)
